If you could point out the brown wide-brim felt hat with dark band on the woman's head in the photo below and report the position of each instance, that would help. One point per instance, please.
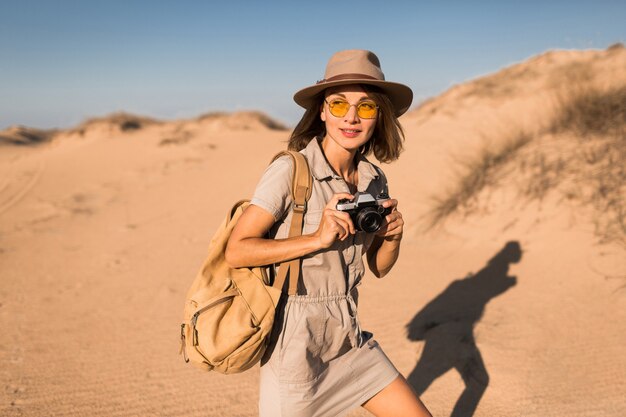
(356, 66)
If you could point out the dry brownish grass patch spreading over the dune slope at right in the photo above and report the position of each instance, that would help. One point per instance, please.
(581, 155)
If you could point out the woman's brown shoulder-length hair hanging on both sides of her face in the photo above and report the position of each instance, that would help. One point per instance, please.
(386, 141)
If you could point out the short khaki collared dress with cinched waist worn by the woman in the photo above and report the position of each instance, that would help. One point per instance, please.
(320, 363)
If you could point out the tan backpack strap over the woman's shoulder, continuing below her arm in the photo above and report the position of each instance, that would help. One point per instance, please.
(301, 188)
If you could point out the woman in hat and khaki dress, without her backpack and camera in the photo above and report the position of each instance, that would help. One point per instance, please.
(320, 363)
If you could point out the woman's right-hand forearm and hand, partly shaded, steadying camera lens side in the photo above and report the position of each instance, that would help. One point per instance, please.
(385, 249)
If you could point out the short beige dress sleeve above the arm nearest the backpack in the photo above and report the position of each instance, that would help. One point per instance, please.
(273, 192)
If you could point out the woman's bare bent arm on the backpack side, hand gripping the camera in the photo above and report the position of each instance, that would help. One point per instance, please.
(248, 247)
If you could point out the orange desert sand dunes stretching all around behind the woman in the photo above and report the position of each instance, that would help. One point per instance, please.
(510, 305)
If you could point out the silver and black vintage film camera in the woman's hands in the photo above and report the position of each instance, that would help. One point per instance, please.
(365, 210)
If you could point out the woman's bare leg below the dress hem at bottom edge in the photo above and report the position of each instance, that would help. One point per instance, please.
(396, 400)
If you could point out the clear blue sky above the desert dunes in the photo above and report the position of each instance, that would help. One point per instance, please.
(63, 61)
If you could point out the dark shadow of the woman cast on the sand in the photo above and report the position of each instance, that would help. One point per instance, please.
(446, 325)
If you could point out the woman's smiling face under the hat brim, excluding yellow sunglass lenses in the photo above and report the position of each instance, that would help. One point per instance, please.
(349, 131)
